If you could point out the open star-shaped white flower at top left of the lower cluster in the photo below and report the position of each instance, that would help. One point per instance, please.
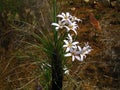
(69, 43)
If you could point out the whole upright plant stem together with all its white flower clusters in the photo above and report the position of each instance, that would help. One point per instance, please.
(71, 48)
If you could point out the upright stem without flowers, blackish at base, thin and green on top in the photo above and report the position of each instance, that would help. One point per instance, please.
(57, 70)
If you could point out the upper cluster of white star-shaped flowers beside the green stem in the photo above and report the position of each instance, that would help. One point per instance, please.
(67, 21)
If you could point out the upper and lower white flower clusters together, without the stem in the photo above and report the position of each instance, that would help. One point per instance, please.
(72, 47)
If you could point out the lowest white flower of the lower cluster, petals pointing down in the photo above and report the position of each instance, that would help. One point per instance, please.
(74, 53)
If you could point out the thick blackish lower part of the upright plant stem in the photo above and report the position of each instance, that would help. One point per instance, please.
(57, 71)
